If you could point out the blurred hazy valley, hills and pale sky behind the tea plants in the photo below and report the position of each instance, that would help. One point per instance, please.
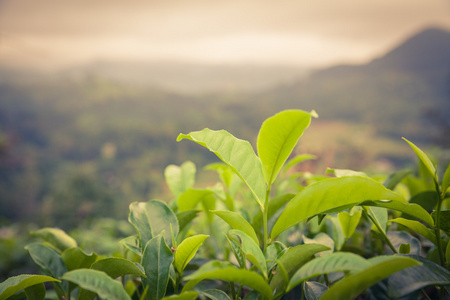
(94, 93)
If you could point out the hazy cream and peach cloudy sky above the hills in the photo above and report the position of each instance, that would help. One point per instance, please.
(301, 32)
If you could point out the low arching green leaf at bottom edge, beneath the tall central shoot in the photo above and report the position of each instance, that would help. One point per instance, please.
(217, 270)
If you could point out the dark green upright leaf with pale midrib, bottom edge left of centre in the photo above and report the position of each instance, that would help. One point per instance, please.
(156, 261)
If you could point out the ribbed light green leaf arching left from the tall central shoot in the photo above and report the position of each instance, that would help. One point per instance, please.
(236, 153)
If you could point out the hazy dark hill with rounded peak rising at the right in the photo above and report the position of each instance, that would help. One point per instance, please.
(405, 92)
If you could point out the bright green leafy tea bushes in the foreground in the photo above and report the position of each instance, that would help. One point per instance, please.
(247, 237)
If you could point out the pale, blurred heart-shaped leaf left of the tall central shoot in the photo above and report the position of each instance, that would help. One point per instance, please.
(180, 178)
